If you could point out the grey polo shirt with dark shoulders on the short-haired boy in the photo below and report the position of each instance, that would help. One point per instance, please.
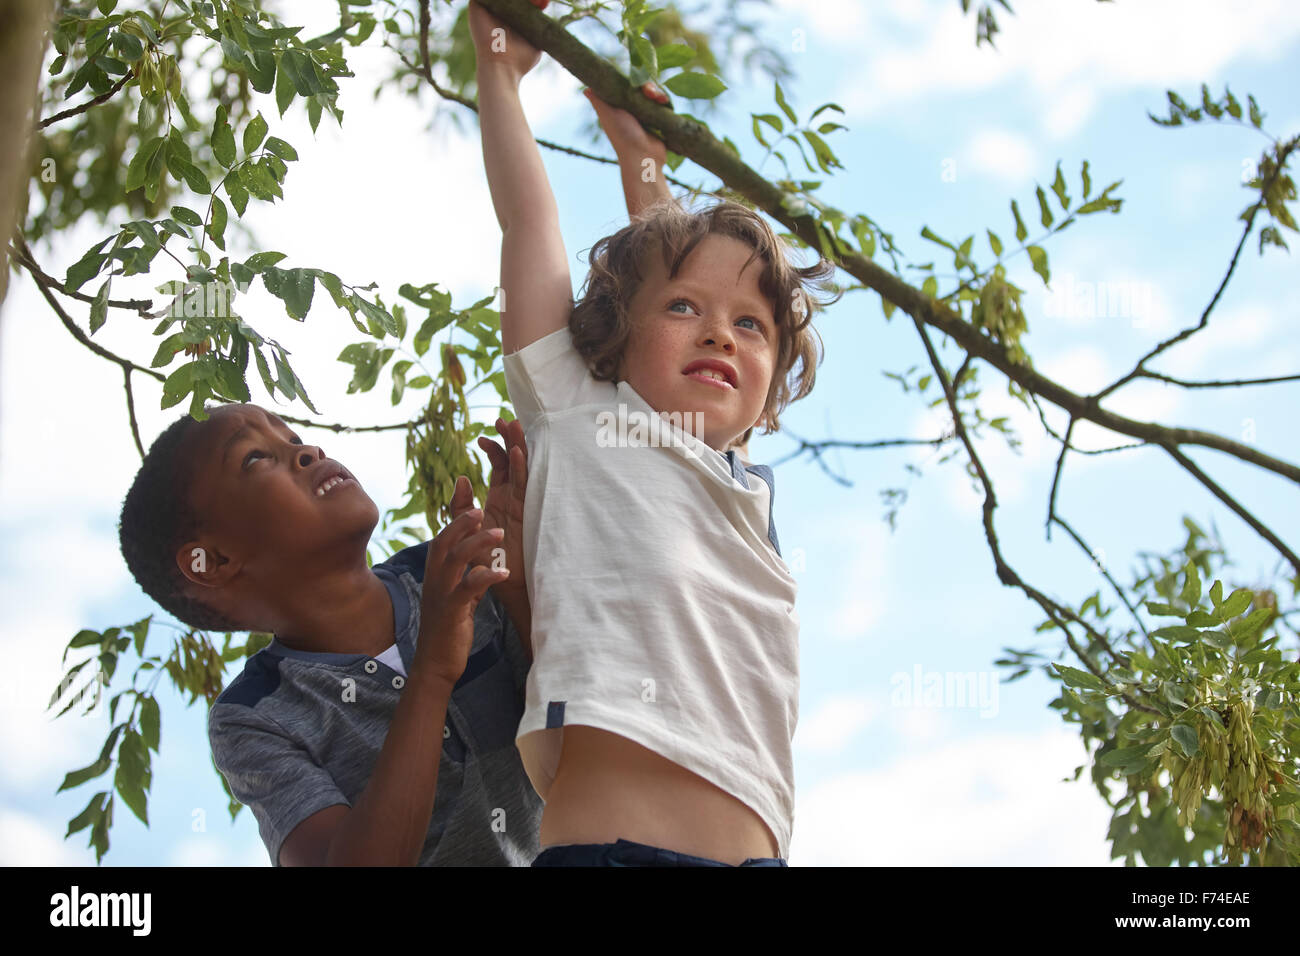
(300, 732)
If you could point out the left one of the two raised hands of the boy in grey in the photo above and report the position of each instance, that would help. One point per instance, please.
(450, 595)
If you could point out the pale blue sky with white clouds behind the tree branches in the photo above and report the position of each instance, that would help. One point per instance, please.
(878, 781)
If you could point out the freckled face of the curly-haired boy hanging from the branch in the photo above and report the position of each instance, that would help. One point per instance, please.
(713, 321)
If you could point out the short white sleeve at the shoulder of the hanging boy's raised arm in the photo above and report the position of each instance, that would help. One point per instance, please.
(551, 375)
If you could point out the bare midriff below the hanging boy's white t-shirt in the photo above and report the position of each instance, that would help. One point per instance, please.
(609, 789)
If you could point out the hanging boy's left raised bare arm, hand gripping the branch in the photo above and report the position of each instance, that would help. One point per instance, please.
(535, 274)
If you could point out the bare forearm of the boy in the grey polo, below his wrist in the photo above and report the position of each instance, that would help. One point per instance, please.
(389, 823)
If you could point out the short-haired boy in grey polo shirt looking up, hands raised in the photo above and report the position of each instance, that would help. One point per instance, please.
(378, 728)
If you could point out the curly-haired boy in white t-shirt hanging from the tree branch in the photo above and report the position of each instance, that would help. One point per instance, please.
(665, 686)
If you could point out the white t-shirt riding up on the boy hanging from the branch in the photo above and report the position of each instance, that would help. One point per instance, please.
(662, 609)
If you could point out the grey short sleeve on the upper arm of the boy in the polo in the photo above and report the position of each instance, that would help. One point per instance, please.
(270, 773)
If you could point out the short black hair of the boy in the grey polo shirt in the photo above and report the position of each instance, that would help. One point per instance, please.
(157, 520)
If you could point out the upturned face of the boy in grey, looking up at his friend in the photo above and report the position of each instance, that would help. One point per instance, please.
(255, 488)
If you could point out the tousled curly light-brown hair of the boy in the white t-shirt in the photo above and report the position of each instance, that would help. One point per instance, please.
(601, 325)
